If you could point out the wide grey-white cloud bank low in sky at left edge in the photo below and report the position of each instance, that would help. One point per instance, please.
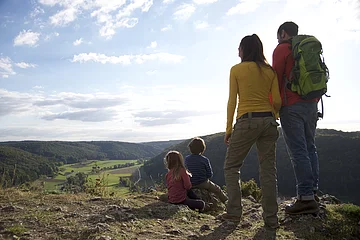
(65, 105)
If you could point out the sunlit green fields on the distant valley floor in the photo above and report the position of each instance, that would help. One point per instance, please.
(111, 175)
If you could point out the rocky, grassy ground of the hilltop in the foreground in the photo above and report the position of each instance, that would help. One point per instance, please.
(35, 215)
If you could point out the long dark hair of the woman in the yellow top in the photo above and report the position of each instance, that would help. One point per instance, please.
(253, 51)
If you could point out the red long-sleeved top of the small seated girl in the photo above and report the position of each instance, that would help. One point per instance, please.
(177, 189)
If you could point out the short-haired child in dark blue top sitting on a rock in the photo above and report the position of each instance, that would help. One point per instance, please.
(201, 170)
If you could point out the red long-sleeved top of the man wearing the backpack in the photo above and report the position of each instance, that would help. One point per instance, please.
(283, 62)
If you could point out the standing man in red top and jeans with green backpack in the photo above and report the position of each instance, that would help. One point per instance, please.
(302, 81)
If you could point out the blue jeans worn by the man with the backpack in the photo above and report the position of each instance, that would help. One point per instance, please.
(298, 123)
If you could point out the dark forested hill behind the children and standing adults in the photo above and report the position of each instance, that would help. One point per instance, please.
(339, 157)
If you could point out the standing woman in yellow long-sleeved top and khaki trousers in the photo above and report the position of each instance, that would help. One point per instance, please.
(254, 84)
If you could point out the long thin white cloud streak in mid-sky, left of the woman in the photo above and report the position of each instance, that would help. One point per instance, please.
(127, 59)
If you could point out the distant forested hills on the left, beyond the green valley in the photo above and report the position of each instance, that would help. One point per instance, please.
(25, 161)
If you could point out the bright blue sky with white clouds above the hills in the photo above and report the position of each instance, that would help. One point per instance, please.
(153, 70)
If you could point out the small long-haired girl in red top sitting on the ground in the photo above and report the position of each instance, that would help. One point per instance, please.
(178, 182)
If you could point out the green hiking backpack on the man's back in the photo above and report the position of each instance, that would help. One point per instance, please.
(309, 75)
